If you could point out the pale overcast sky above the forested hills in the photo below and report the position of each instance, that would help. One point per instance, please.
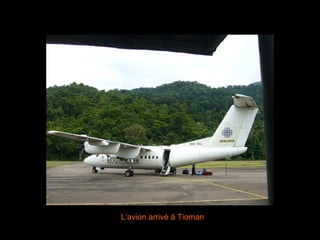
(235, 62)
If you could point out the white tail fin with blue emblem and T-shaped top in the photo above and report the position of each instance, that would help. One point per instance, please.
(235, 127)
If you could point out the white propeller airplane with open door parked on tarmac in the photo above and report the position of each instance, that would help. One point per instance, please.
(228, 140)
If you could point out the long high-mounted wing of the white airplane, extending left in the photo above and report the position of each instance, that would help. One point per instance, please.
(94, 141)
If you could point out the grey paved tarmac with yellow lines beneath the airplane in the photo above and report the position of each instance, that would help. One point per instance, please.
(75, 184)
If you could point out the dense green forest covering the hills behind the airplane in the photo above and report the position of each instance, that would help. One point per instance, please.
(168, 114)
